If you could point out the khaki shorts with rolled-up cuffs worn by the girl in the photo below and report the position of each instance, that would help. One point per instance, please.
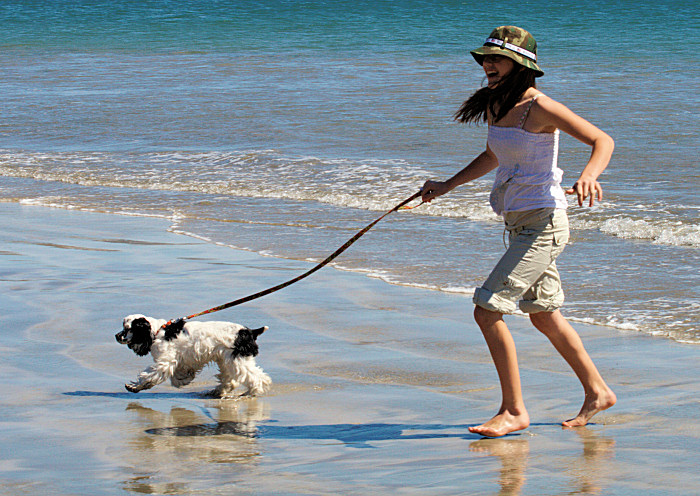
(527, 273)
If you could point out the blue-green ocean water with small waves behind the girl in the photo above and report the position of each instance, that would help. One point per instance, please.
(283, 127)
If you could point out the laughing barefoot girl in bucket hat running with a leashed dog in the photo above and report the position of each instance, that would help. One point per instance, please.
(522, 143)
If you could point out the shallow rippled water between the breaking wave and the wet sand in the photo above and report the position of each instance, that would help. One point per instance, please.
(604, 300)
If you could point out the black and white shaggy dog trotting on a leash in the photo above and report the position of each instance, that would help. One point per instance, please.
(182, 349)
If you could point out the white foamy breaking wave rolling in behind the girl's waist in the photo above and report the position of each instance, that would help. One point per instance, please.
(370, 184)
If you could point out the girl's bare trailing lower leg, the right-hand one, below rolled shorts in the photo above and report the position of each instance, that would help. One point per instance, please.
(568, 343)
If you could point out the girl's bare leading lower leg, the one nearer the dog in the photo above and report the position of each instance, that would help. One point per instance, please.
(512, 415)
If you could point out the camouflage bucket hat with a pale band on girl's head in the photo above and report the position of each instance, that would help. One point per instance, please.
(512, 42)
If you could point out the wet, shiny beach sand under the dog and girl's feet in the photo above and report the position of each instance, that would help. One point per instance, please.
(374, 385)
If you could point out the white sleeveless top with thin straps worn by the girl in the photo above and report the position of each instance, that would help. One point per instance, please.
(527, 176)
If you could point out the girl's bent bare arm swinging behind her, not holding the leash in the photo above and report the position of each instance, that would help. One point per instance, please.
(549, 113)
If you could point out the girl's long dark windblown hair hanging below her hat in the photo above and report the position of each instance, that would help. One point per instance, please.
(499, 100)
